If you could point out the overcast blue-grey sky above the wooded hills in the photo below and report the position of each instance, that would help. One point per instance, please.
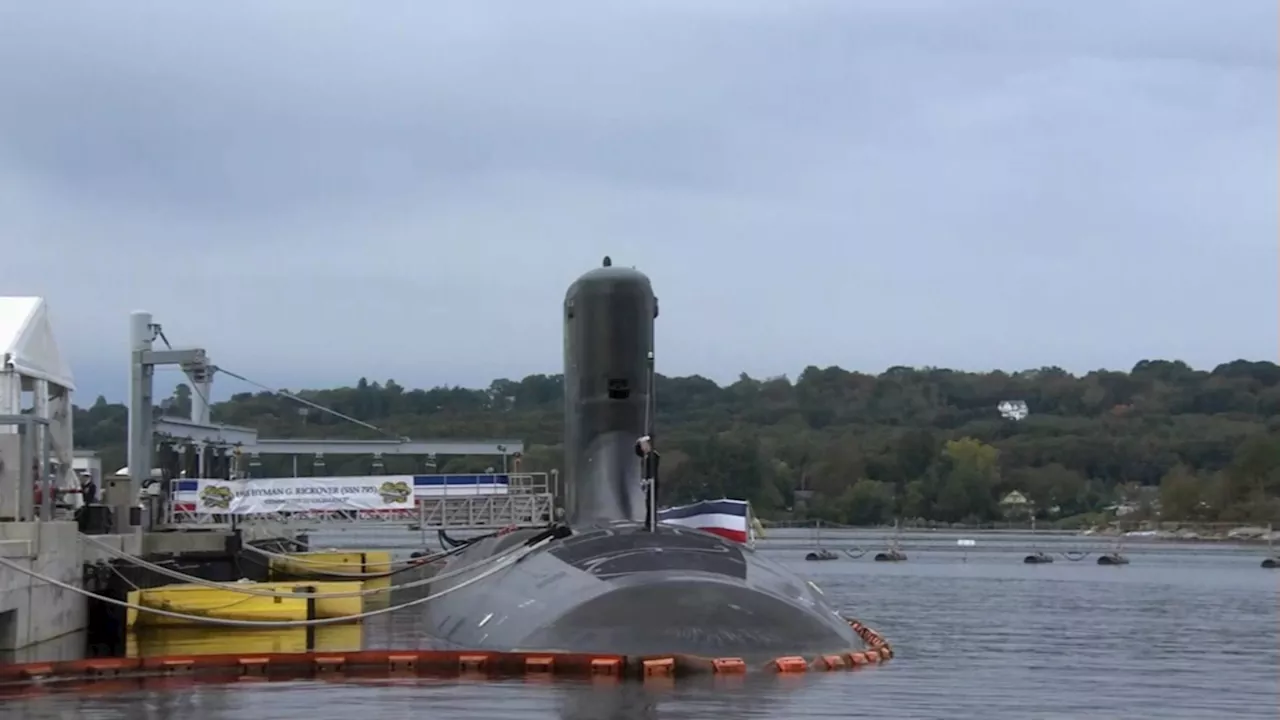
(317, 192)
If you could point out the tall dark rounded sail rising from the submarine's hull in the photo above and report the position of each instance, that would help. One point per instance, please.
(609, 336)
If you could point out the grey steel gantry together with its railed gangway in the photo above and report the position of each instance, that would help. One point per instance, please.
(213, 450)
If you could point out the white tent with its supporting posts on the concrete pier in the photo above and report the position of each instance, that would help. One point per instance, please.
(31, 364)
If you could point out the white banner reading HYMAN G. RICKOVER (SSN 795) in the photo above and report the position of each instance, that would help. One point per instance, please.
(304, 495)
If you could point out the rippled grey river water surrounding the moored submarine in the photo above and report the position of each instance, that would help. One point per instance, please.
(1186, 631)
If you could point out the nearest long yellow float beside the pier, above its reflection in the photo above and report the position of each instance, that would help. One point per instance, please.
(228, 604)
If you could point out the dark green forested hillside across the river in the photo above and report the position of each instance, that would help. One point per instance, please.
(911, 443)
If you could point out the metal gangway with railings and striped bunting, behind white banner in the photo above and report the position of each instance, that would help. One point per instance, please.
(441, 502)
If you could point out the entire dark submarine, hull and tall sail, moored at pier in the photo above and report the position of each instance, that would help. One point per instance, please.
(607, 577)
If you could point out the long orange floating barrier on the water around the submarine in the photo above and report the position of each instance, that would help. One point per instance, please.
(130, 672)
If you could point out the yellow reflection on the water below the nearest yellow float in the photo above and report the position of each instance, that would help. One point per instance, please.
(154, 642)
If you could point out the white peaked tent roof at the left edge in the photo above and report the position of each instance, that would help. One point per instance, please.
(28, 345)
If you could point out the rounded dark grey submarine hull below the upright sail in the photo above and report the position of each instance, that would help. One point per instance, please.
(621, 590)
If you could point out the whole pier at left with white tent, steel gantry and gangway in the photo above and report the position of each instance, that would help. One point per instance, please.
(157, 508)
